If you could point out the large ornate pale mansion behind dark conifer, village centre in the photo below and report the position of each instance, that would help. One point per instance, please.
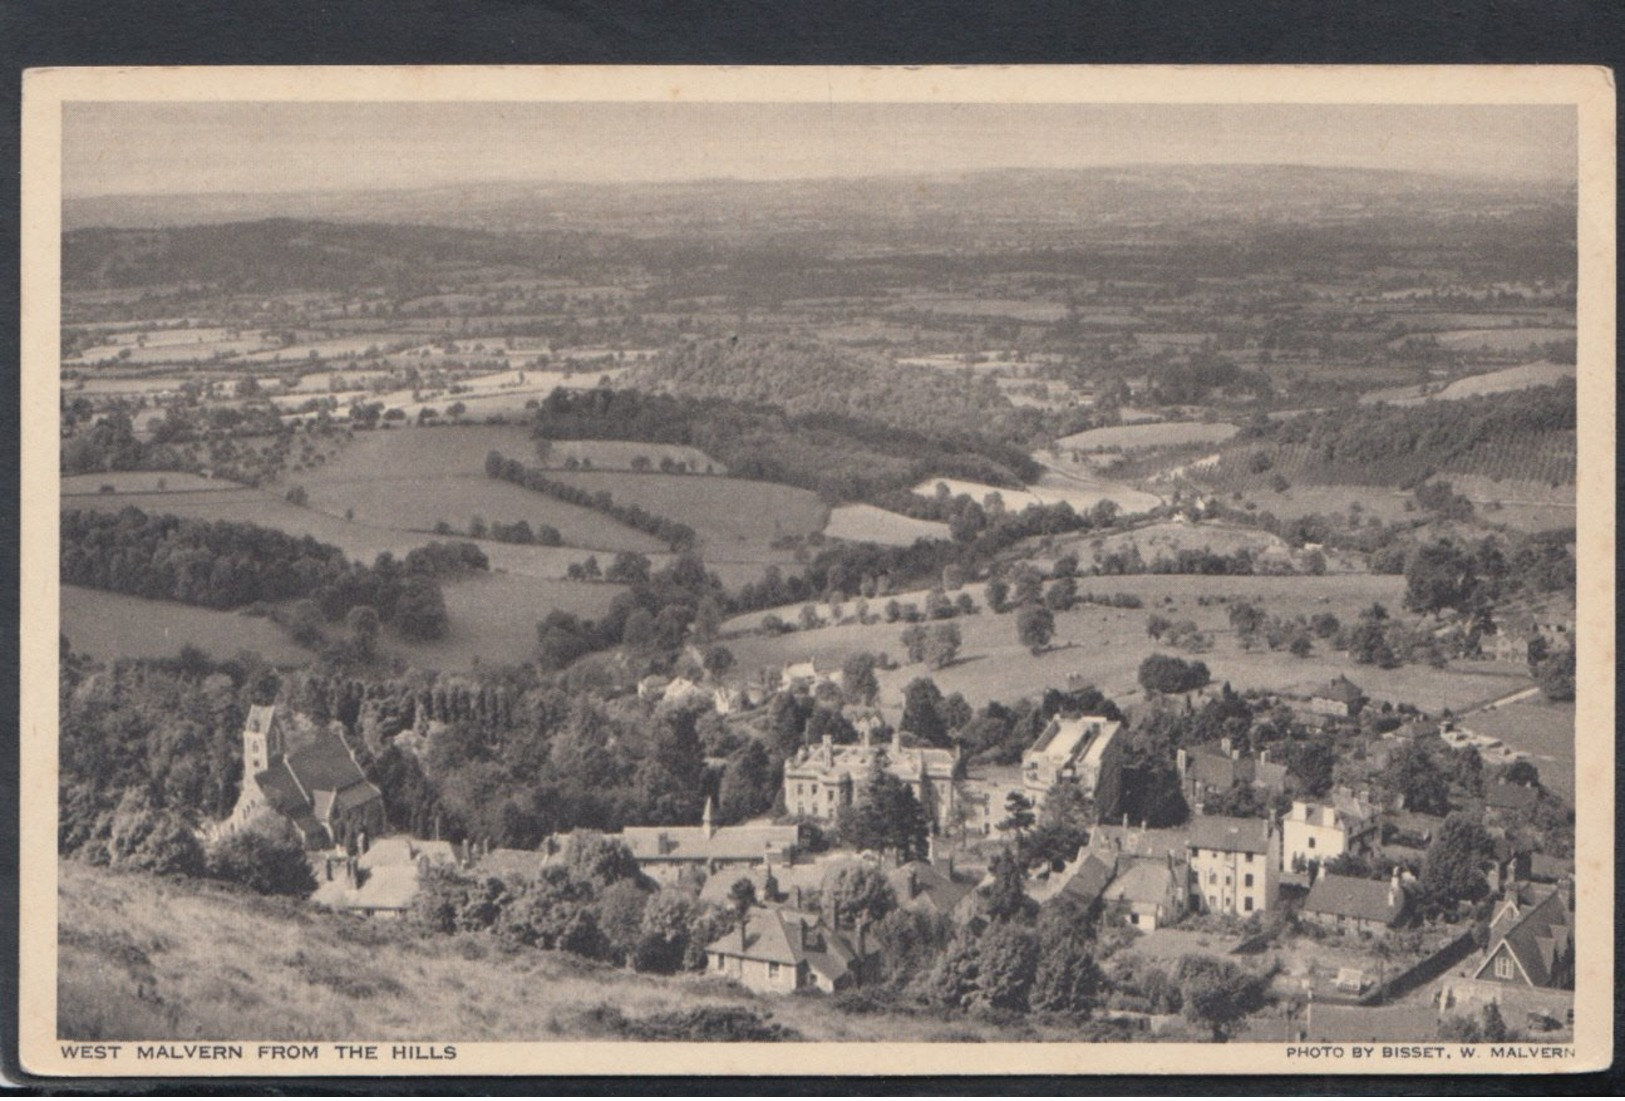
(823, 780)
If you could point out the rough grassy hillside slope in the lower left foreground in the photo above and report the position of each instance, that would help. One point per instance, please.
(149, 959)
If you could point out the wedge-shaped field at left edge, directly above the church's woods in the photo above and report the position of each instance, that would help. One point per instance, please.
(111, 626)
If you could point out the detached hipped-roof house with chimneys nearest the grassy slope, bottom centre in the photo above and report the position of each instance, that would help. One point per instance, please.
(782, 952)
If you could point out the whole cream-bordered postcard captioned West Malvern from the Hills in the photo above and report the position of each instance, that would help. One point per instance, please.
(878, 558)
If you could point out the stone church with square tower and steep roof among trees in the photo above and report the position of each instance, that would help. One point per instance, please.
(306, 774)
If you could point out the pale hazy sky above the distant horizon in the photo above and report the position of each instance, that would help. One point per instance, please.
(115, 149)
